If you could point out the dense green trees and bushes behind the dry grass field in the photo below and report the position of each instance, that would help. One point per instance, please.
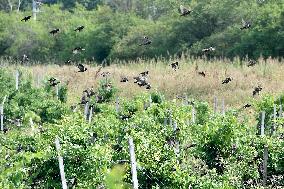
(114, 28)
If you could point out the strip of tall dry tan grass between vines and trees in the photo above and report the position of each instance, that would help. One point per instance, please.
(268, 74)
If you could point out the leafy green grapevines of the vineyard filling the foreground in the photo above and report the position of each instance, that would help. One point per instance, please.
(181, 143)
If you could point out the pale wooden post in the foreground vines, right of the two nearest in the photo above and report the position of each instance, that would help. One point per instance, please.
(133, 163)
